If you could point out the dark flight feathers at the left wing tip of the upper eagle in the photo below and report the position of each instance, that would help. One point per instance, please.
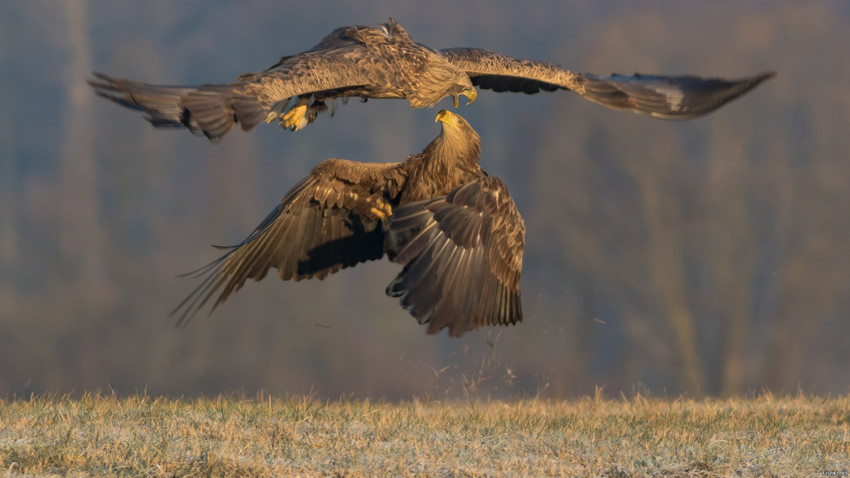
(211, 110)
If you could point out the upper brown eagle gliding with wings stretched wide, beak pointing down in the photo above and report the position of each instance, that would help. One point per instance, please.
(366, 62)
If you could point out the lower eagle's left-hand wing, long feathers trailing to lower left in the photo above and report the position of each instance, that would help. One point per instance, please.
(331, 220)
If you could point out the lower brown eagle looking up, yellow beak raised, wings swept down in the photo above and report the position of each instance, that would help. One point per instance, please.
(455, 230)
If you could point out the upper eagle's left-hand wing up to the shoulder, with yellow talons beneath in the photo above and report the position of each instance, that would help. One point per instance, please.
(351, 61)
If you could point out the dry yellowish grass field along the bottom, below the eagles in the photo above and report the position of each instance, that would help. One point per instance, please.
(100, 435)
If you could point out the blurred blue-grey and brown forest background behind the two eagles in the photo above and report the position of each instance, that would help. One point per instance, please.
(708, 257)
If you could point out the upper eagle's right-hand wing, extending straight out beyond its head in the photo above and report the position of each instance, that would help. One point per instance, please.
(669, 97)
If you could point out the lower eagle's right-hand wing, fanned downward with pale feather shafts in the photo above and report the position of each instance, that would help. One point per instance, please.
(462, 256)
